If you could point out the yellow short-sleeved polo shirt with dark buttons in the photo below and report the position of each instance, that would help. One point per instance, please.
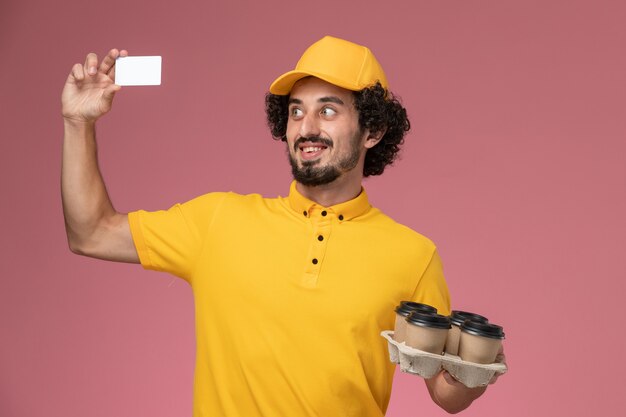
(290, 299)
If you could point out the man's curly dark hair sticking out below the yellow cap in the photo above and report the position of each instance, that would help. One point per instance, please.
(378, 110)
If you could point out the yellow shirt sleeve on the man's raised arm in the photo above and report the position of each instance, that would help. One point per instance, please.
(171, 240)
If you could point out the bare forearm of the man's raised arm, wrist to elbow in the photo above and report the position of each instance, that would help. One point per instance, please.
(85, 199)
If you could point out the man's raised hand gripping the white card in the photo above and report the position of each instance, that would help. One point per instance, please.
(89, 89)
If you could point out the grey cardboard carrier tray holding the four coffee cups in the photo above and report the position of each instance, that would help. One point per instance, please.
(427, 365)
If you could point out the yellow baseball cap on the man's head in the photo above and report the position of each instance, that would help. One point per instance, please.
(337, 61)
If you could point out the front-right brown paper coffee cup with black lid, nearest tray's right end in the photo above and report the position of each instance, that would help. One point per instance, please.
(480, 342)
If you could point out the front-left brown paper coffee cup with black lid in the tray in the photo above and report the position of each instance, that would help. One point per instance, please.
(427, 332)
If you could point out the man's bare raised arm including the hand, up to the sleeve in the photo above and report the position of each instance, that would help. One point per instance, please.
(93, 226)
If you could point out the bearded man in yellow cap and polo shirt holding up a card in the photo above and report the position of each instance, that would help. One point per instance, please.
(292, 293)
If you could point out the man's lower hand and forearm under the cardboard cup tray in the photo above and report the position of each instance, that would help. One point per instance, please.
(451, 395)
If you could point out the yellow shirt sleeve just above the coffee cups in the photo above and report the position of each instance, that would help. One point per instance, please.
(432, 288)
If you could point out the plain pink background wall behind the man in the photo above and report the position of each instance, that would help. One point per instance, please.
(515, 168)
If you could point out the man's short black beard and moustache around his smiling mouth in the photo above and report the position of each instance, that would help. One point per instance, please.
(311, 175)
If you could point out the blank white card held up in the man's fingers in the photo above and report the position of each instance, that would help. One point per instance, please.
(138, 70)
